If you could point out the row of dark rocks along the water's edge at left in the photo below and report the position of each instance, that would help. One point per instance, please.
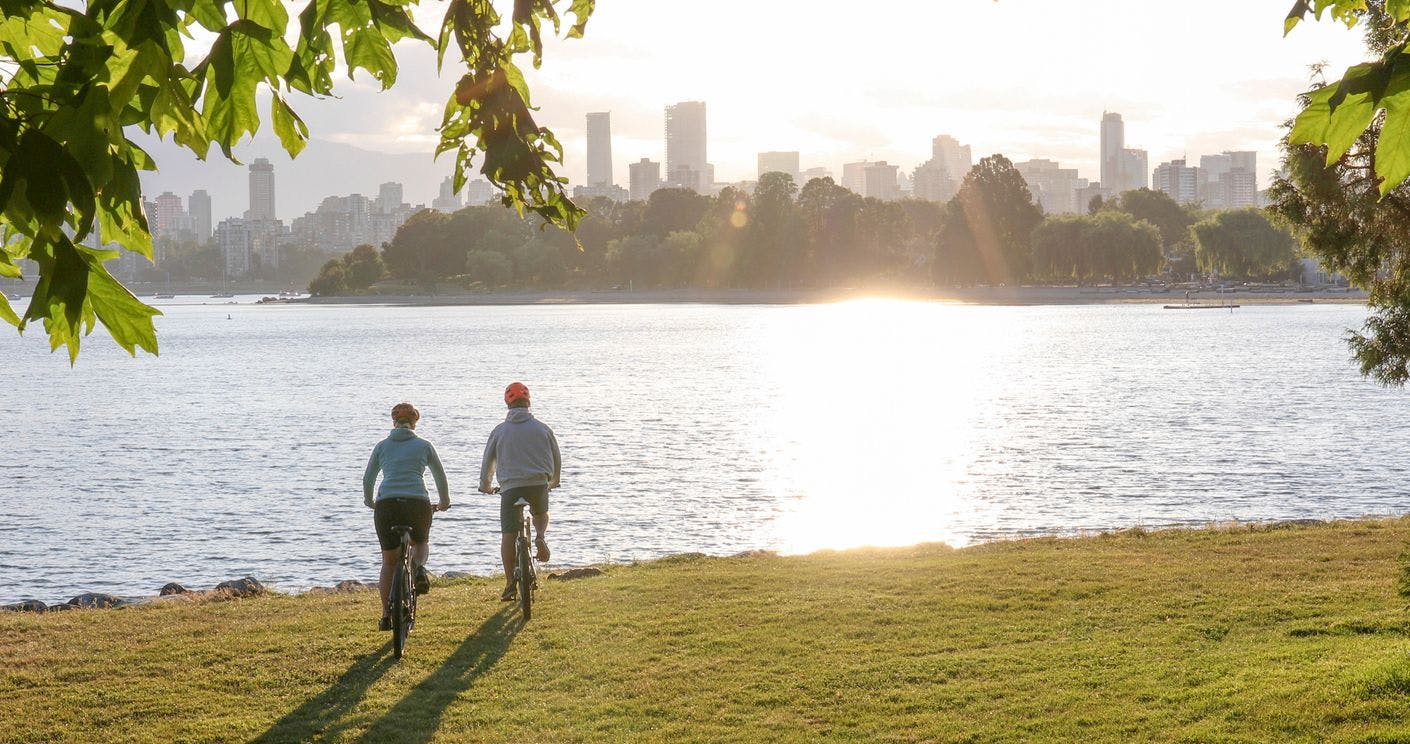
(243, 588)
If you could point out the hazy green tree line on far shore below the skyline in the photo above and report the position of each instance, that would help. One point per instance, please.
(820, 237)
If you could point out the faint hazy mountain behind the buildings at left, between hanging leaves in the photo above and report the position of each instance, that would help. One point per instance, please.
(322, 170)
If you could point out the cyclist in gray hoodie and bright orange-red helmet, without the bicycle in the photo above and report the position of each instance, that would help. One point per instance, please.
(524, 453)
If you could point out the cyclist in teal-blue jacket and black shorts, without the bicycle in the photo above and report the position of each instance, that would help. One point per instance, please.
(403, 459)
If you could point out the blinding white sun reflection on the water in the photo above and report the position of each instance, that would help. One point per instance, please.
(873, 421)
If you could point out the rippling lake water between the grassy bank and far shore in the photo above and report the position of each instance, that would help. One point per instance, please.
(711, 429)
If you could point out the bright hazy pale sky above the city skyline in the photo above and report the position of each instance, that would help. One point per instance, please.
(878, 81)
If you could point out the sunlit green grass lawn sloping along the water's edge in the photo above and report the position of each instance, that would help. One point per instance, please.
(1265, 635)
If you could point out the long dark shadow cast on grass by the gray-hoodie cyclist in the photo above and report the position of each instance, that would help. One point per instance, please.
(418, 717)
